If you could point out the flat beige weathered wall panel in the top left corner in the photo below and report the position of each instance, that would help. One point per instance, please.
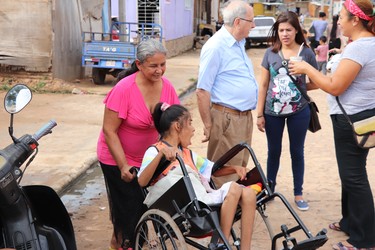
(26, 35)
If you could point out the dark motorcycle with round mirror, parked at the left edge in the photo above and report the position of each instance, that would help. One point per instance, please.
(31, 217)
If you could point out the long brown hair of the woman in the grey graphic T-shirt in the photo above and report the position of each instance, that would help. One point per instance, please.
(286, 17)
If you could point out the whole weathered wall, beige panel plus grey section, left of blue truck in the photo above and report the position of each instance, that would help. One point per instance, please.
(45, 35)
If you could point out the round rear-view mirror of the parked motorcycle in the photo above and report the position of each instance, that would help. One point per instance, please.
(17, 98)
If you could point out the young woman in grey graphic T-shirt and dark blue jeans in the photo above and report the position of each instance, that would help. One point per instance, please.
(280, 101)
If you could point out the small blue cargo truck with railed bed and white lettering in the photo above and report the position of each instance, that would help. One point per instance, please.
(110, 53)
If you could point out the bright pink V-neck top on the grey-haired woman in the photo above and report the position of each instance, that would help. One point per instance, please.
(137, 131)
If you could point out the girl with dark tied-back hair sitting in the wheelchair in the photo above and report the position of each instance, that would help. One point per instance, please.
(174, 125)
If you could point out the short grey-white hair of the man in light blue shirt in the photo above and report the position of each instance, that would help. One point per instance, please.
(233, 9)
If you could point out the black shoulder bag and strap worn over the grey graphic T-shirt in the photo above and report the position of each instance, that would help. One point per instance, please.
(314, 124)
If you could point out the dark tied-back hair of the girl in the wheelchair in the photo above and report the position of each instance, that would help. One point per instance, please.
(164, 115)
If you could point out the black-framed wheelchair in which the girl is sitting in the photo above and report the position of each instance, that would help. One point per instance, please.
(178, 220)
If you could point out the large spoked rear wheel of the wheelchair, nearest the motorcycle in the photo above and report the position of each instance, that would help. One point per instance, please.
(157, 230)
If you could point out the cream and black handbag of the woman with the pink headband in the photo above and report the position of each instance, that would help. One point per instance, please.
(363, 130)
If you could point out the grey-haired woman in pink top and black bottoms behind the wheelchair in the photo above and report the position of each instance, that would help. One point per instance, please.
(128, 130)
